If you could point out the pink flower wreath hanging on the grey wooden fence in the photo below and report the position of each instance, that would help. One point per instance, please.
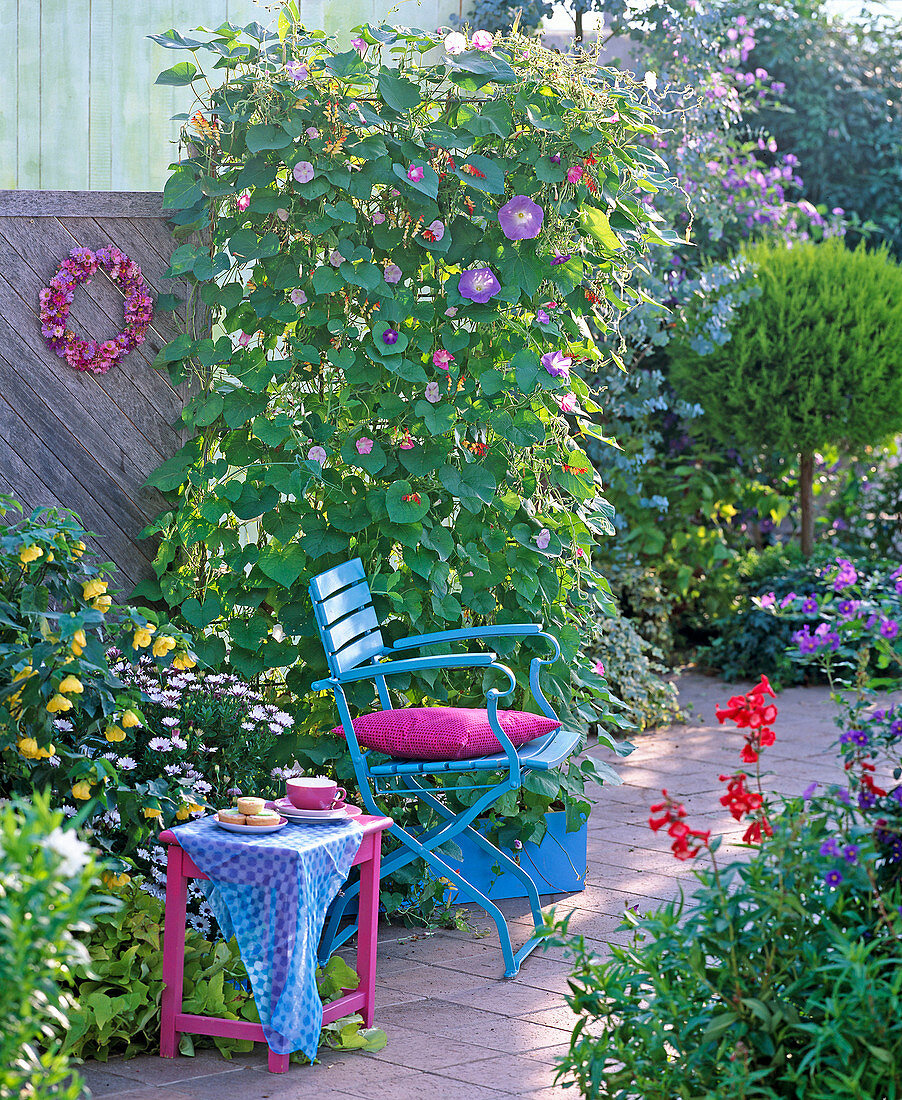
(56, 301)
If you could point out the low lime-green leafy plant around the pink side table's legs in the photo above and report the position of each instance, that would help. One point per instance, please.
(119, 986)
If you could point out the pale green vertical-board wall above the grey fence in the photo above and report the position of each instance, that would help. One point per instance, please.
(79, 106)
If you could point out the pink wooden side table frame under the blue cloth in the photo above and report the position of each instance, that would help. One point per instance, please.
(181, 868)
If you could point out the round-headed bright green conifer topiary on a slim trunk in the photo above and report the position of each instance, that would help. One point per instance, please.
(815, 360)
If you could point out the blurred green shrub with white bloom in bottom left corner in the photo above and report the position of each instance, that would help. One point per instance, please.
(47, 895)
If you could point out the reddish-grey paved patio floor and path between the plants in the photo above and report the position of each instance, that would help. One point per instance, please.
(456, 1031)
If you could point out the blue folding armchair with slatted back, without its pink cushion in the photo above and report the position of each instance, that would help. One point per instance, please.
(356, 651)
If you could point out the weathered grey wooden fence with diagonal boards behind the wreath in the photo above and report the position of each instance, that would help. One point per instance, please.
(68, 438)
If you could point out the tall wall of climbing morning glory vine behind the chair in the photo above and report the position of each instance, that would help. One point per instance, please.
(467, 466)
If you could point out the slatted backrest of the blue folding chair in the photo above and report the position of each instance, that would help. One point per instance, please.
(348, 623)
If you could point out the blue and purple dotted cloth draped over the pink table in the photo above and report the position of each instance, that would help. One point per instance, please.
(272, 894)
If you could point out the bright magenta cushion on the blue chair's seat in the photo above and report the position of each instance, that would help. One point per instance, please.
(445, 733)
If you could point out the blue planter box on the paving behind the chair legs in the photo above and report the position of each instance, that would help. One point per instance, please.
(558, 865)
